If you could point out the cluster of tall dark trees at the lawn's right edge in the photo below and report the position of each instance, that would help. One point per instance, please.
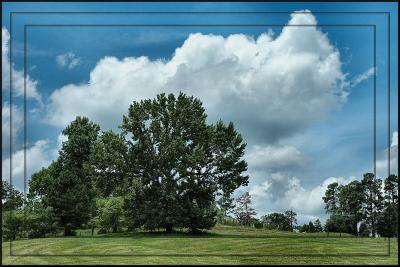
(366, 208)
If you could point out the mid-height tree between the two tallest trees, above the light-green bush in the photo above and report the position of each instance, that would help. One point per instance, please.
(109, 164)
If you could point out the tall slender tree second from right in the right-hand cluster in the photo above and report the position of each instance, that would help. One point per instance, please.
(372, 201)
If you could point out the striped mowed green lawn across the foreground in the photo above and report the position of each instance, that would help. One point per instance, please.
(222, 245)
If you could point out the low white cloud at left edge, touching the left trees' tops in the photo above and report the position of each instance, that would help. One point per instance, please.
(38, 155)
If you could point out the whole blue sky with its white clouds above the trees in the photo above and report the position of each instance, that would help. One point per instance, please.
(301, 96)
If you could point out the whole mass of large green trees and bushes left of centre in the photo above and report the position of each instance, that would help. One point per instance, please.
(164, 170)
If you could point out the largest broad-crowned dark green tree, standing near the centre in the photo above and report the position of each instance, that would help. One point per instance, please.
(181, 161)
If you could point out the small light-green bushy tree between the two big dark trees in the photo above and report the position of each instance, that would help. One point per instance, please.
(109, 214)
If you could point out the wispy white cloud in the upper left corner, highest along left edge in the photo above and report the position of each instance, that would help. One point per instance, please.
(17, 75)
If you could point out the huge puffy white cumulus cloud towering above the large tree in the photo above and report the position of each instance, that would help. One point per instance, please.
(283, 83)
